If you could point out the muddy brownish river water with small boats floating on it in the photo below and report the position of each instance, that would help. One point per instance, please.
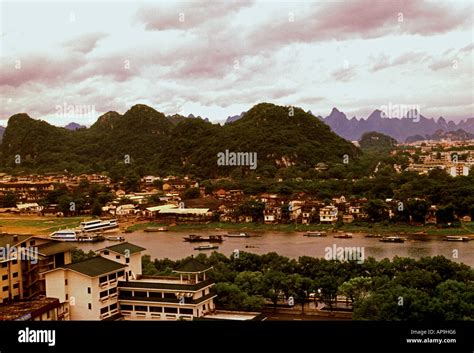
(293, 245)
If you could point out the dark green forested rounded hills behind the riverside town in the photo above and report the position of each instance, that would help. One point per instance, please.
(143, 141)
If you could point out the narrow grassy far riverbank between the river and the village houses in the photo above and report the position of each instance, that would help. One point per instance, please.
(376, 228)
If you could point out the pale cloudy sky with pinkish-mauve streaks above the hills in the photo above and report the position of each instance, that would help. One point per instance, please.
(73, 61)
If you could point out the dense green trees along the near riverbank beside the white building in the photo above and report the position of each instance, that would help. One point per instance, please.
(431, 288)
